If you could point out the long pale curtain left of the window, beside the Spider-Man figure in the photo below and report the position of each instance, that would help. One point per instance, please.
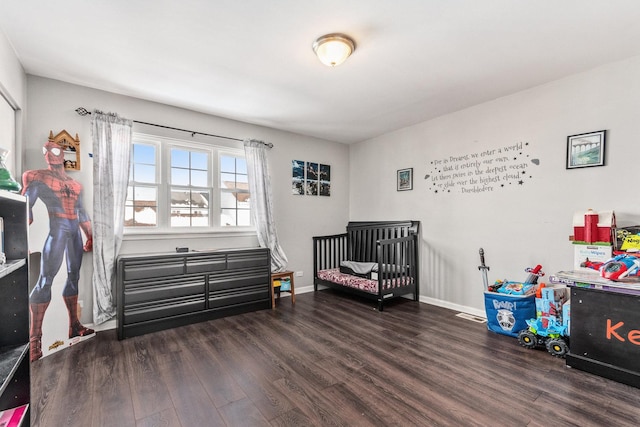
(111, 158)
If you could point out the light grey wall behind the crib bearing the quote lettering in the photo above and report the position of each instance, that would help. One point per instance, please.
(519, 226)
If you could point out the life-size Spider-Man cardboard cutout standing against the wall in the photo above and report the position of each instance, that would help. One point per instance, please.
(68, 221)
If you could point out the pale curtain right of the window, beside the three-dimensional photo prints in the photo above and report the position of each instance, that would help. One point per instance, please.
(261, 204)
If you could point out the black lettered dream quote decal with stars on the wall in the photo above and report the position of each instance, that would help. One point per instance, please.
(482, 171)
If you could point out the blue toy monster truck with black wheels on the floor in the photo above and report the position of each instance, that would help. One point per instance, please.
(552, 337)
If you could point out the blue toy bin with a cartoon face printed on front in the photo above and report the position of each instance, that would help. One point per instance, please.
(507, 314)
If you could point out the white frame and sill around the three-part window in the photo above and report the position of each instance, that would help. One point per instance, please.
(163, 182)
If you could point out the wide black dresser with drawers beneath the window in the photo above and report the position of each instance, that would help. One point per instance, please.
(161, 291)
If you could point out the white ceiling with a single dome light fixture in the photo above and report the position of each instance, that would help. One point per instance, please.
(251, 60)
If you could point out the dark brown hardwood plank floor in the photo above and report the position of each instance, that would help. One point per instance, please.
(330, 360)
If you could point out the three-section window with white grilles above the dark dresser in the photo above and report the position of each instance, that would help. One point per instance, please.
(202, 187)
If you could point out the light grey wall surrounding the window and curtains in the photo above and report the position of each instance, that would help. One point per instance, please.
(52, 106)
